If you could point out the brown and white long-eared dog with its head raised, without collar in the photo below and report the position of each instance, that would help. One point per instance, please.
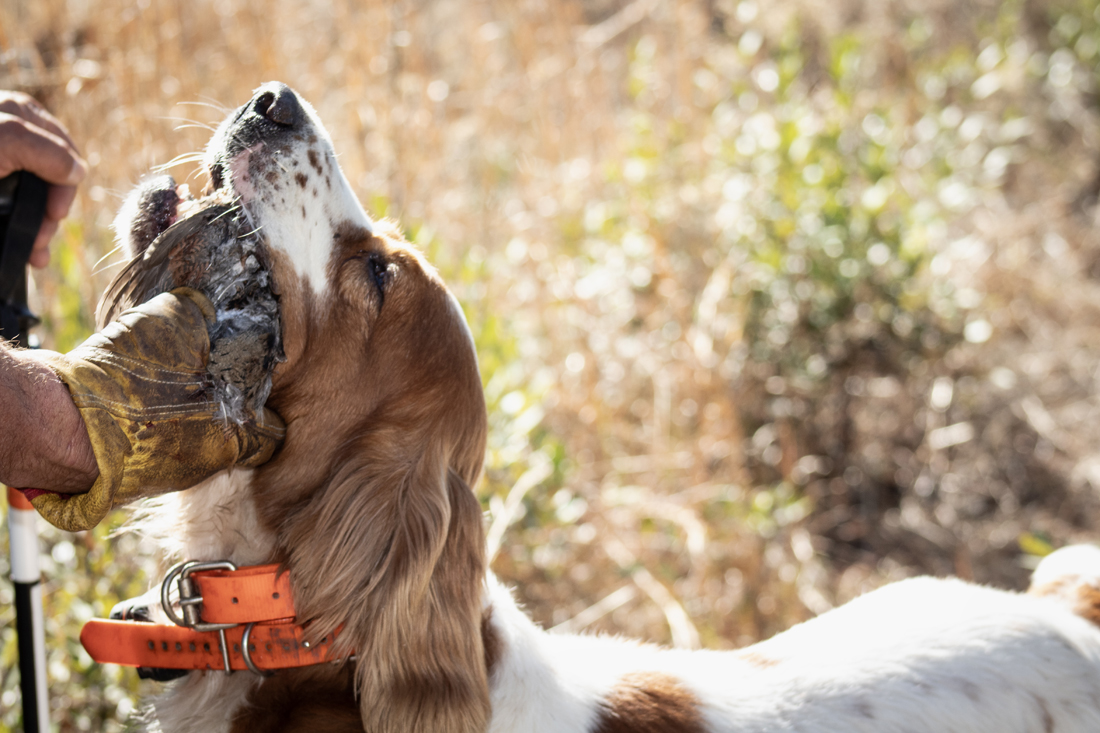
(370, 508)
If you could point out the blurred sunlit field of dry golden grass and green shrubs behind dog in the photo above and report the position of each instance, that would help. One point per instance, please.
(776, 301)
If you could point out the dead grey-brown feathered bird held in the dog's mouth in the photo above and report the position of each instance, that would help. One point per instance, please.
(211, 245)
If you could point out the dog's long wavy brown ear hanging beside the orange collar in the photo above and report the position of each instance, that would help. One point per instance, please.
(393, 551)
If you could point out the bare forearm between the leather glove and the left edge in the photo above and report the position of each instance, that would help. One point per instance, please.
(43, 441)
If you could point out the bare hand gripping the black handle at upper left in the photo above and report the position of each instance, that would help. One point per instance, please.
(31, 139)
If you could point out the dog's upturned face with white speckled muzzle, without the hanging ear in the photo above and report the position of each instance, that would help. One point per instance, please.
(372, 337)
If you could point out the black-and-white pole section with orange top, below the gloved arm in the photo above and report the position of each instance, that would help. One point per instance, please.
(27, 577)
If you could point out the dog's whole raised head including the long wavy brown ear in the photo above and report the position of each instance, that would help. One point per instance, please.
(370, 498)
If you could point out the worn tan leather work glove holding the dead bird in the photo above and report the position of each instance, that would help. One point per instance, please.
(142, 389)
